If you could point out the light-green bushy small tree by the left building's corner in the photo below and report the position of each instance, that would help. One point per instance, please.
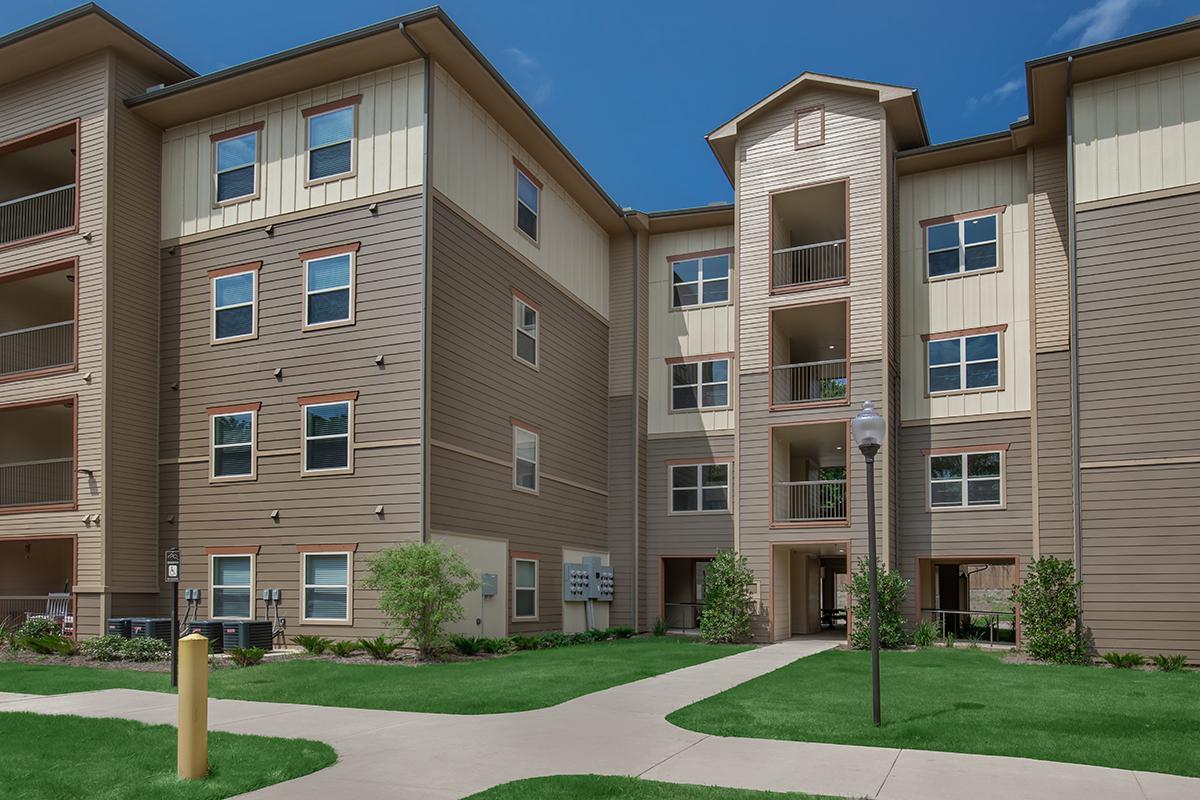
(422, 586)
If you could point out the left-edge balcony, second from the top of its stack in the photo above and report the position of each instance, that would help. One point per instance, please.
(38, 323)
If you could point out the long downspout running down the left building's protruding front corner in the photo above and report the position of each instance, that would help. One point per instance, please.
(423, 513)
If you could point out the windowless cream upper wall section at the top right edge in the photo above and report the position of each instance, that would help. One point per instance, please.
(1138, 133)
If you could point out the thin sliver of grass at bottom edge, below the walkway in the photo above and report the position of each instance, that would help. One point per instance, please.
(602, 787)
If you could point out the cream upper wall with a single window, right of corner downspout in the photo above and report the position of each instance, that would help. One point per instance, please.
(473, 167)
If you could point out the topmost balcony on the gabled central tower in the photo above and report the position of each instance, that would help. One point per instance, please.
(808, 237)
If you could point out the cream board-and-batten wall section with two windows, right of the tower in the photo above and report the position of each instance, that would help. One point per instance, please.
(998, 298)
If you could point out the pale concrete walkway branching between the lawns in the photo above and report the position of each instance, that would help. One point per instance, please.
(616, 732)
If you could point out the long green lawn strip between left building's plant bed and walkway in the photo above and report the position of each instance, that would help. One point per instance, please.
(518, 683)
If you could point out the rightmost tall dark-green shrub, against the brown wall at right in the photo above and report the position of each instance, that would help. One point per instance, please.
(1049, 604)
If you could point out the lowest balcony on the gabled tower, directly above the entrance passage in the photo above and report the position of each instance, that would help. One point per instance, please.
(809, 474)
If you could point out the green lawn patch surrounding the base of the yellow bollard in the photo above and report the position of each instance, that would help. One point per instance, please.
(56, 757)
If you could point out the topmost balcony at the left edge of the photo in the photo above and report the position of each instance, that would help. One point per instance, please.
(38, 185)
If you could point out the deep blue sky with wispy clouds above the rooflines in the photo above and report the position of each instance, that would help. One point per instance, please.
(633, 89)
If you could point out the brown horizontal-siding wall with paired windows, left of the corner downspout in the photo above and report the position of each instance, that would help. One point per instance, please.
(196, 376)
